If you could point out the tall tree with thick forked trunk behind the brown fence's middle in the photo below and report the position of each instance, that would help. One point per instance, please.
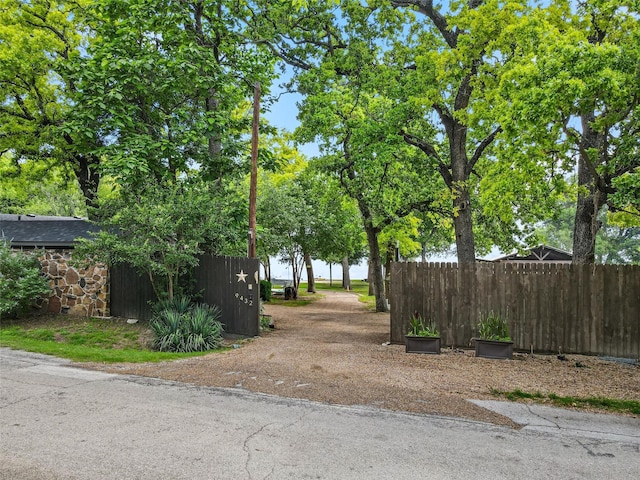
(437, 69)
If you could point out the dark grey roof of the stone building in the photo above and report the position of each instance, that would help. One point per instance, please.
(35, 231)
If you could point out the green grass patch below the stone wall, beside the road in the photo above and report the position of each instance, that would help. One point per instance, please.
(84, 339)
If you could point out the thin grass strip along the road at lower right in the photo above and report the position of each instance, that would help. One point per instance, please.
(608, 404)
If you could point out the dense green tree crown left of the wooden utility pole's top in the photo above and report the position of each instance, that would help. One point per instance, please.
(167, 86)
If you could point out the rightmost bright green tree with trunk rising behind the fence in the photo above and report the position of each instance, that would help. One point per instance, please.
(575, 95)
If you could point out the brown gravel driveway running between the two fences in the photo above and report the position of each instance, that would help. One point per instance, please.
(333, 351)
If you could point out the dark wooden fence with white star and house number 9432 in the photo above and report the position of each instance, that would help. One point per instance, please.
(231, 283)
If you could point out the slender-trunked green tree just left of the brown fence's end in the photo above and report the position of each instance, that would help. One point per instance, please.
(384, 176)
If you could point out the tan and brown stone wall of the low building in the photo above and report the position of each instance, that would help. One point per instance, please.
(75, 290)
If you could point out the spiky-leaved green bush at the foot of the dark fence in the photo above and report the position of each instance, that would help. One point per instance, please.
(179, 325)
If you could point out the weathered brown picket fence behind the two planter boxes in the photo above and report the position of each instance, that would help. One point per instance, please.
(551, 307)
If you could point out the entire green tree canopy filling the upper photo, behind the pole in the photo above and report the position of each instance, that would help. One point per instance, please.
(463, 122)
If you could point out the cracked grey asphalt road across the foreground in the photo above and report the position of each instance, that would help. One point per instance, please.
(60, 422)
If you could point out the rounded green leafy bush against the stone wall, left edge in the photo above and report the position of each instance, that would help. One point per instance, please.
(21, 281)
